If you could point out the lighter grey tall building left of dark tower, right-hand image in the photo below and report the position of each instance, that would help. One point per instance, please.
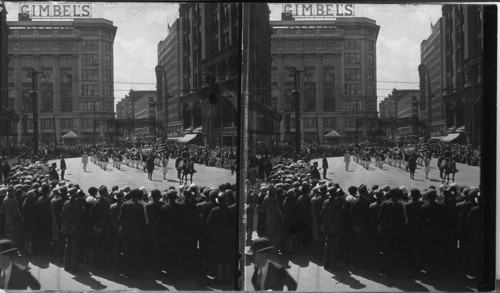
(431, 51)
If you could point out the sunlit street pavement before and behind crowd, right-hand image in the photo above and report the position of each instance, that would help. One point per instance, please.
(310, 274)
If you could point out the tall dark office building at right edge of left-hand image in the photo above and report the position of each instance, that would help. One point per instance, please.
(209, 56)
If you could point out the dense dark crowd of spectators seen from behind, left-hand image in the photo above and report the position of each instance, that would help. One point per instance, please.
(181, 231)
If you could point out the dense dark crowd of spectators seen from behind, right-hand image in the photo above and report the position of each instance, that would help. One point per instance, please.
(382, 228)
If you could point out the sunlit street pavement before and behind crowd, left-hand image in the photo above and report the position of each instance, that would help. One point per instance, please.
(52, 275)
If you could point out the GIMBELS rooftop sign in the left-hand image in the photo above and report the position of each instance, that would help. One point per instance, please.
(51, 10)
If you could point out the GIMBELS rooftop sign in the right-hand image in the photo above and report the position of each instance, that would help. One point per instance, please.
(303, 10)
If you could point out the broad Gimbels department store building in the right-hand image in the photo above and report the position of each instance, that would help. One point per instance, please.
(338, 90)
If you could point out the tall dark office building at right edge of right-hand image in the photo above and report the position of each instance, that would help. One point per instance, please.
(462, 67)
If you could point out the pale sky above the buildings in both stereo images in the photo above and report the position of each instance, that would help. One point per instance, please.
(141, 26)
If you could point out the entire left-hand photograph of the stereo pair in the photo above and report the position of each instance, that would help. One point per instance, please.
(119, 146)
